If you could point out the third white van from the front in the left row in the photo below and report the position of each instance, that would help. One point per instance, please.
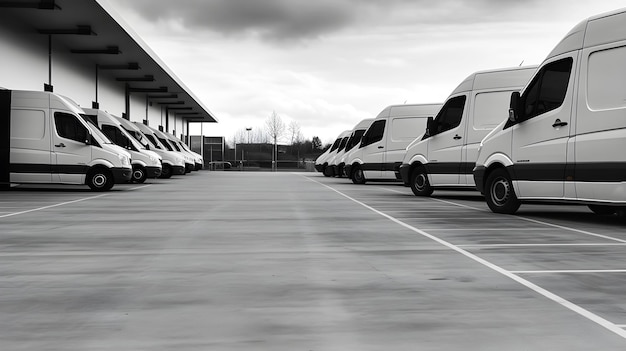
(173, 163)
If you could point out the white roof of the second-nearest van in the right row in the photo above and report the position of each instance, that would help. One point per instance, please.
(496, 78)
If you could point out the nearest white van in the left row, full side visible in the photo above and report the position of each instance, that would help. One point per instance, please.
(45, 140)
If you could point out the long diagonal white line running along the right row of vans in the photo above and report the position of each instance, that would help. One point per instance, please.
(563, 302)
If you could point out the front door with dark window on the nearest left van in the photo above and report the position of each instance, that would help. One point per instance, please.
(70, 148)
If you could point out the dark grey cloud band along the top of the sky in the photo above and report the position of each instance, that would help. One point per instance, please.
(303, 20)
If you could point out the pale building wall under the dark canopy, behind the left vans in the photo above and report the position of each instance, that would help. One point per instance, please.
(24, 66)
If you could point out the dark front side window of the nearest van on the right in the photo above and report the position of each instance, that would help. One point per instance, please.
(547, 90)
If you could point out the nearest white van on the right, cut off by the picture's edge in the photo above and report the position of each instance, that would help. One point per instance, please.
(565, 137)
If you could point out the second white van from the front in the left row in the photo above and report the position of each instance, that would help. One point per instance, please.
(145, 163)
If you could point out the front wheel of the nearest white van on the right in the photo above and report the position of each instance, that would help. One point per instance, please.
(500, 194)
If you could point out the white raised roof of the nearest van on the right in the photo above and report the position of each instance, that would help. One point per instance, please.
(600, 29)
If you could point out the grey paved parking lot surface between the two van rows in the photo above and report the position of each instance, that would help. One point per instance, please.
(296, 261)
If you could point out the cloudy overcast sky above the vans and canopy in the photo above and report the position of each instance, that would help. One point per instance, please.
(327, 64)
